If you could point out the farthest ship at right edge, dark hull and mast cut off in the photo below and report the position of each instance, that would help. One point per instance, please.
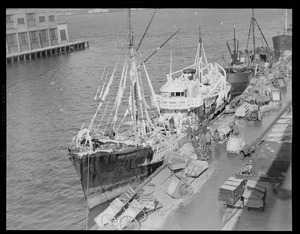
(284, 41)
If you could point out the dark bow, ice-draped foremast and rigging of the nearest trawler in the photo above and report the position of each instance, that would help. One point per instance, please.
(109, 157)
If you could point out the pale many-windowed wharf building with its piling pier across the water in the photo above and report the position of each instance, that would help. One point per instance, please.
(33, 33)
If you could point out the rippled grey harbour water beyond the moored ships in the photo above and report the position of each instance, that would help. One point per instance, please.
(49, 99)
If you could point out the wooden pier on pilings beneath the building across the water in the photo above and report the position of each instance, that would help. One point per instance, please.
(47, 51)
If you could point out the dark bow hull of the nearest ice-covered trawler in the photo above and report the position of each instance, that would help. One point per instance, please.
(110, 173)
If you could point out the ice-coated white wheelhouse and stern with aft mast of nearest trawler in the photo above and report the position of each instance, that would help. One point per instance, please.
(199, 90)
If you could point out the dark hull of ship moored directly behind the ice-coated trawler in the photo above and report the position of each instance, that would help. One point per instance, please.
(239, 82)
